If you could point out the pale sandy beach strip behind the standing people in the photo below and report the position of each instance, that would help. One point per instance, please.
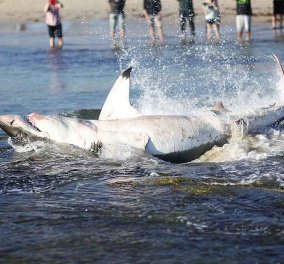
(18, 11)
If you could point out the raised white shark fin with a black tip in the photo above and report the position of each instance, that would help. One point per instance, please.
(117, 105)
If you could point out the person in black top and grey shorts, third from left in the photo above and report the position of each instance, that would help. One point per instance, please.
(153, 13)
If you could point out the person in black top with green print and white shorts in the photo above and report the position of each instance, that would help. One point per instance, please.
(243, 19)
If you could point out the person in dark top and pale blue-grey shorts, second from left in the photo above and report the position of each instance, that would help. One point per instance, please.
(116, 19)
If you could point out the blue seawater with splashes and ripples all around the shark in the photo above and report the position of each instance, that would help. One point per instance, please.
(61, 204)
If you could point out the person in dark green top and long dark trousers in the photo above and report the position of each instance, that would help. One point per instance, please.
(186, 14)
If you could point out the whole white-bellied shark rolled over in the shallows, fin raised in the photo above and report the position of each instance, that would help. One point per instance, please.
(169, 137)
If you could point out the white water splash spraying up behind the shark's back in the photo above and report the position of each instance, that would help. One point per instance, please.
(174, 80)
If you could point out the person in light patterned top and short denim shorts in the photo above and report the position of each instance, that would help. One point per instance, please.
(212, 19)
